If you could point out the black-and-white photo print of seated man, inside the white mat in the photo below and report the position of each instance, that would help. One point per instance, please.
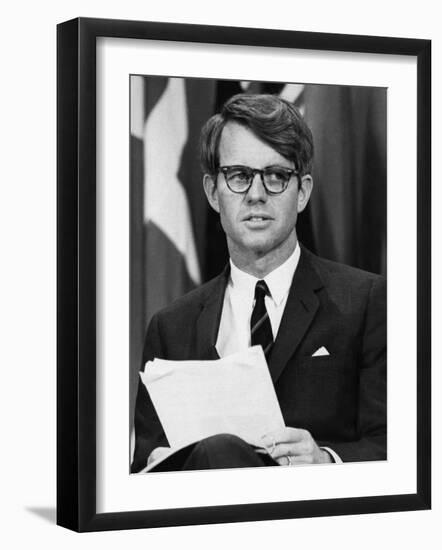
(258, 265)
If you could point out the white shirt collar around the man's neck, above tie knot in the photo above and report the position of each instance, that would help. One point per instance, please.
(278, 280)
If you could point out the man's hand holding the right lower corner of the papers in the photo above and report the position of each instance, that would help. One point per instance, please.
(291, 446)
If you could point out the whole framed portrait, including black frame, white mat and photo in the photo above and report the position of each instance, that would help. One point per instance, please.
(243, 215)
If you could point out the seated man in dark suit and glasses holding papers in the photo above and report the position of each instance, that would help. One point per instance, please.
(321, 324)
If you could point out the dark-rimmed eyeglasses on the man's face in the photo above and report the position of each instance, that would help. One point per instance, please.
(275, 179)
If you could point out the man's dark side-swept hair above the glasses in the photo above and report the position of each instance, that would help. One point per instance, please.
(272, 119)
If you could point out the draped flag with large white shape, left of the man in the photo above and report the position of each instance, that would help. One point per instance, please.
(168, 205)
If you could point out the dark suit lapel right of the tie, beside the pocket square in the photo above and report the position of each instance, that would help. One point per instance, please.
(300, 310)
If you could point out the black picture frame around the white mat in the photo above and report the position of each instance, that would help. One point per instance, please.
(76, 273)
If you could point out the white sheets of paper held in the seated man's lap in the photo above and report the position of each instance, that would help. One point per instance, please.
(197, 399)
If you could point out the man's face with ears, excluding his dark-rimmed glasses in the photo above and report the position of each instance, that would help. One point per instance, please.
(257, 225)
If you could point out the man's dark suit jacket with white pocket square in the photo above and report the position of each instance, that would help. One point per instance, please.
(340, 398)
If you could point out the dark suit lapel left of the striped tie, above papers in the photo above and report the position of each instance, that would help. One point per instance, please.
(207, 324)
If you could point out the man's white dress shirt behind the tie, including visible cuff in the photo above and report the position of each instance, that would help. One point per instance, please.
(239, 300)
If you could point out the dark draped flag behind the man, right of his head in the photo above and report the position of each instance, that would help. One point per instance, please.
(348, 218)
